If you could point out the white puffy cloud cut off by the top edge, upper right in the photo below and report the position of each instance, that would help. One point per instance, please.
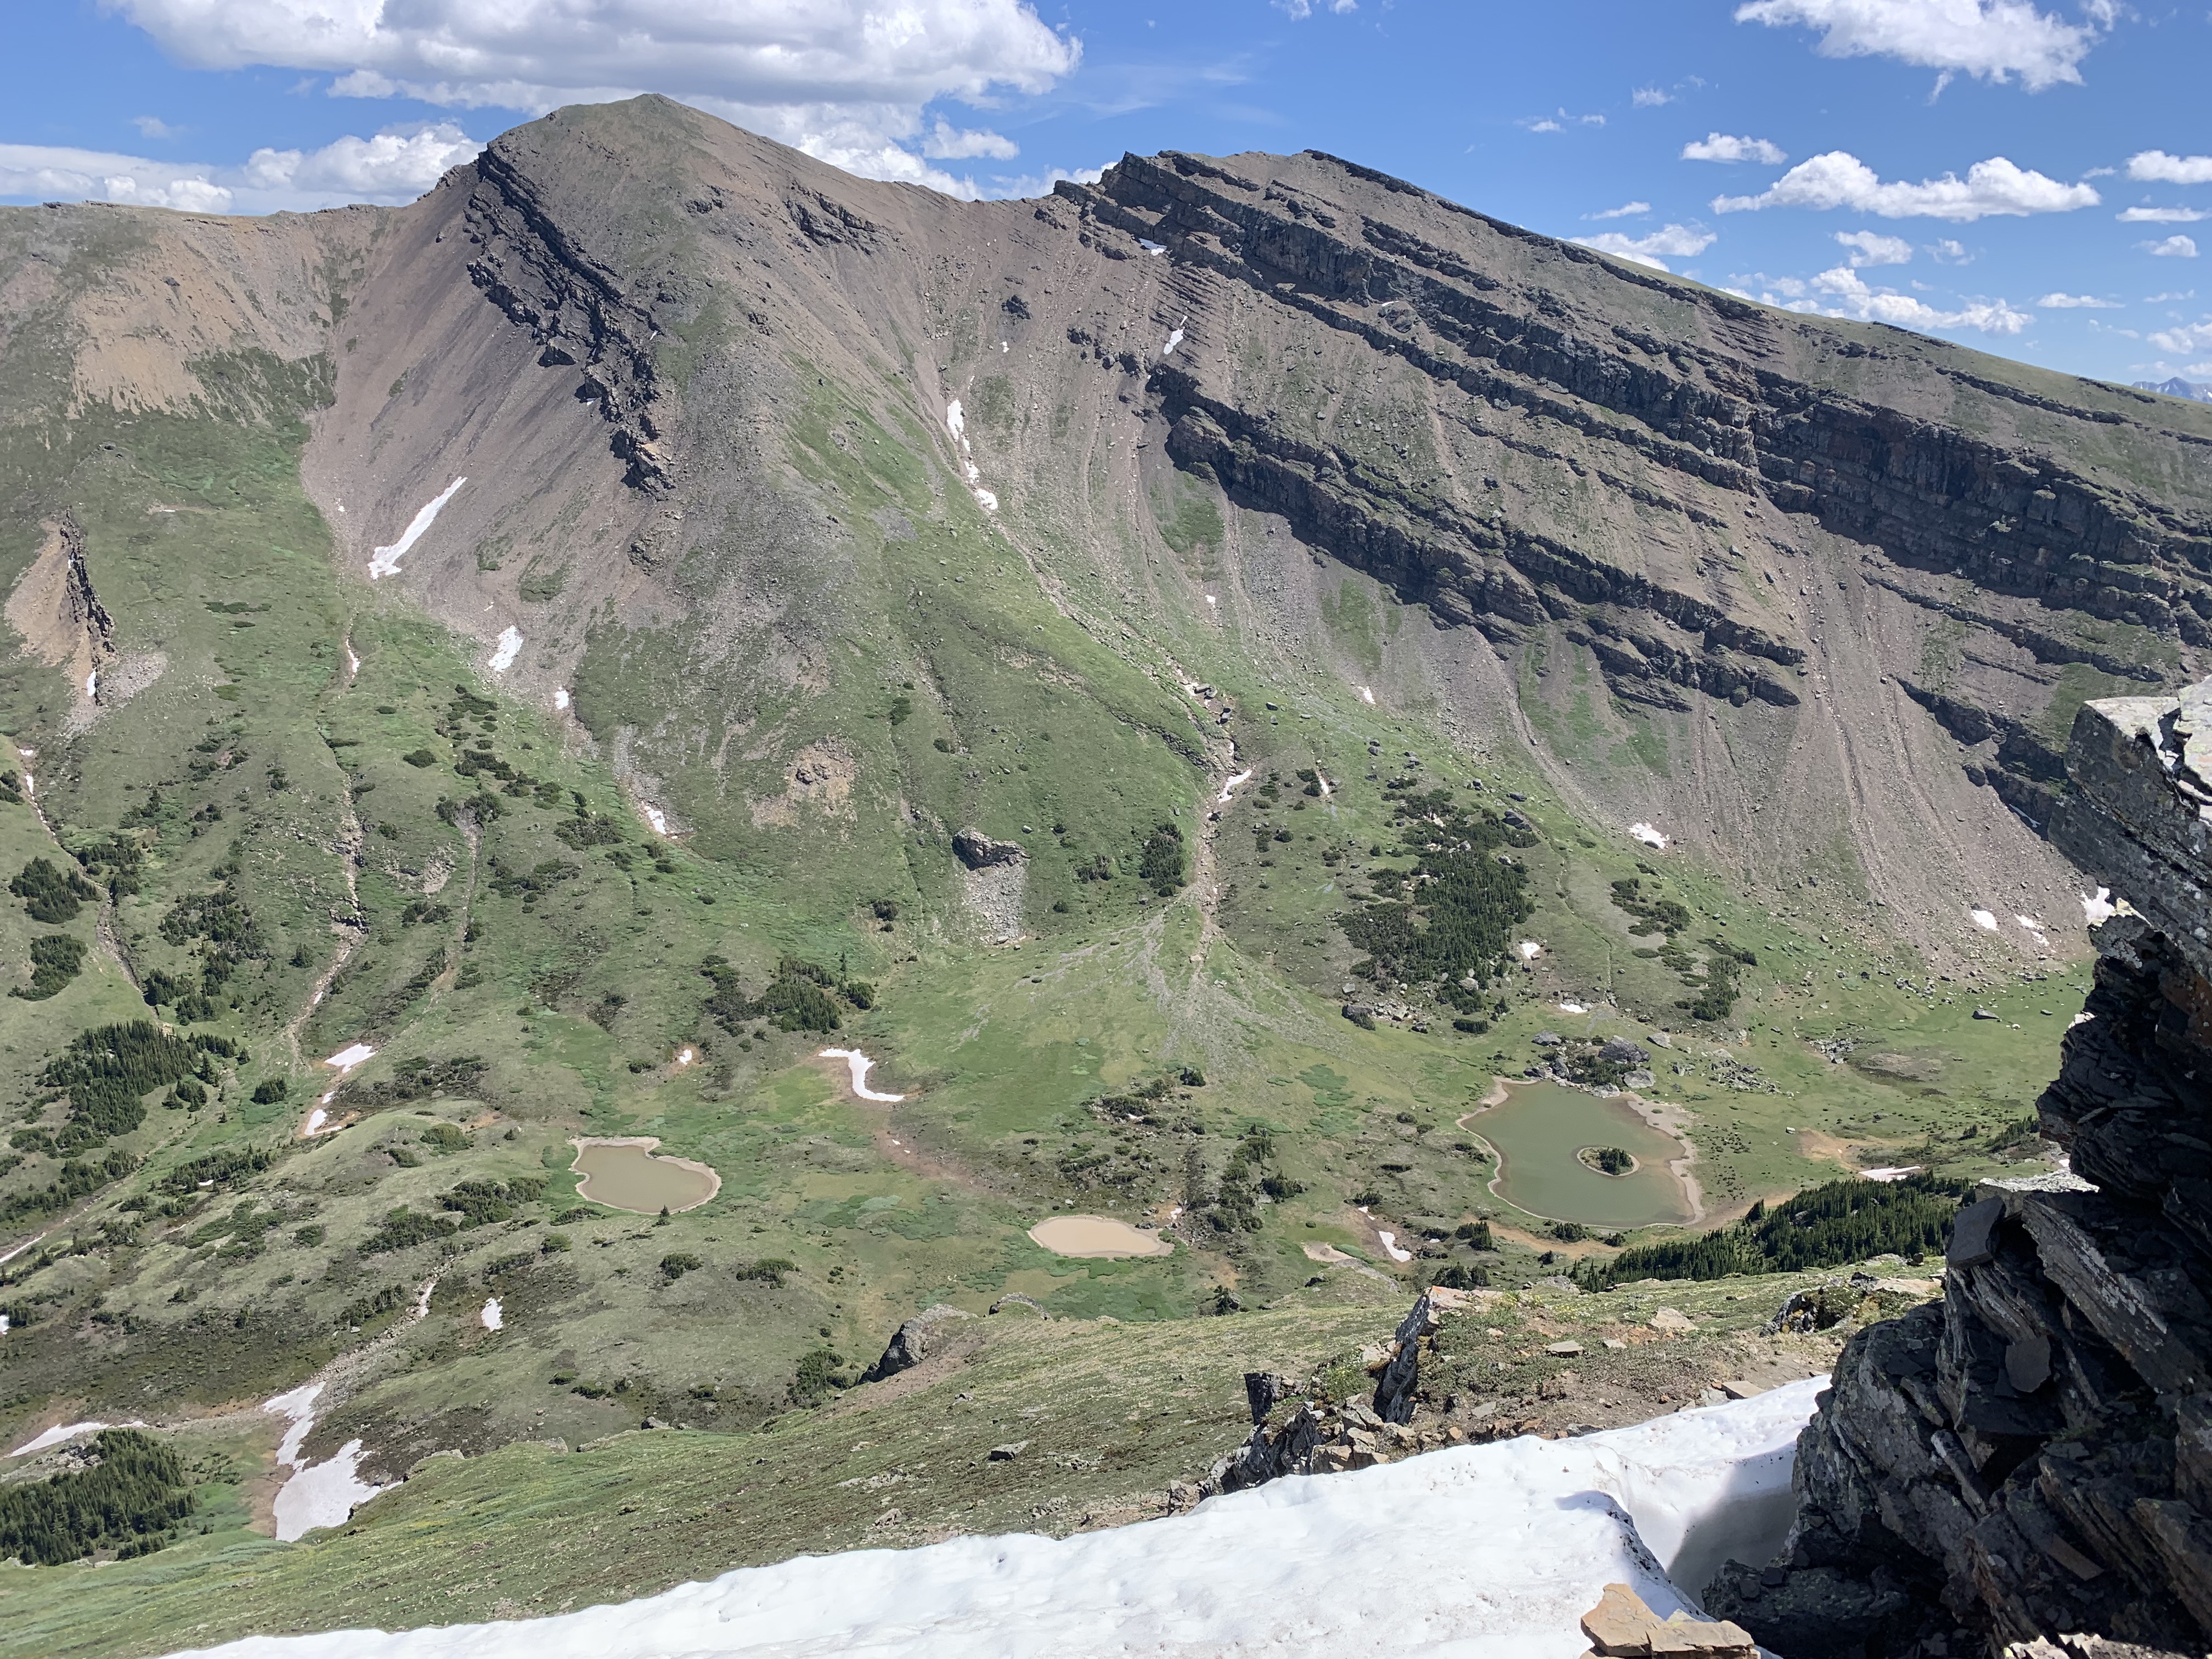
(1985, 39)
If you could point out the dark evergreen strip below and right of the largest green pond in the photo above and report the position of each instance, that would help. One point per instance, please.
(1824, 1227)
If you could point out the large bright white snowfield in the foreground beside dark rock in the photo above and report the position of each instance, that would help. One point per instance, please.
(1477, 1554)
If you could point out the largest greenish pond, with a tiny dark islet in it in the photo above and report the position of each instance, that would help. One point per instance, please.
(1541, 1134)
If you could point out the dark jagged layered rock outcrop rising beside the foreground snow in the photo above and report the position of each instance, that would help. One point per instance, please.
(2032, 1459)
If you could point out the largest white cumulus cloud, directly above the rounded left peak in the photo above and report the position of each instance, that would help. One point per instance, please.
(846, 81)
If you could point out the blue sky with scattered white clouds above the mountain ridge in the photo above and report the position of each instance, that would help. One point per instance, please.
(2023, 176)
